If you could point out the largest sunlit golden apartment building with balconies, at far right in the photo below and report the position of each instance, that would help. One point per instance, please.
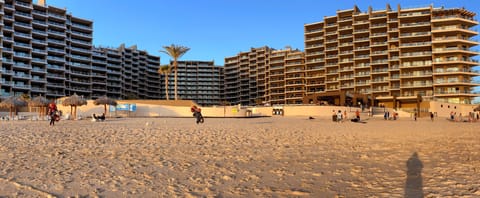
(396, 57)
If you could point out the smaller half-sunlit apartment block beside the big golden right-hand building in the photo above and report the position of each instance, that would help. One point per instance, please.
(265, 76)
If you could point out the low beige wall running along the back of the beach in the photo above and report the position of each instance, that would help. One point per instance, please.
(160, 109)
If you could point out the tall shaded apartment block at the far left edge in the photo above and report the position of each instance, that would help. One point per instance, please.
(44, 50)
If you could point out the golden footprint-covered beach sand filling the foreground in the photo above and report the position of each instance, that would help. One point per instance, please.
(257, 157)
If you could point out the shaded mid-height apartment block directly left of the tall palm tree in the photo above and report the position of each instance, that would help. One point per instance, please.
(125, 72)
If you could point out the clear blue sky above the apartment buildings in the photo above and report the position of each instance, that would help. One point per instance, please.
(215, 29)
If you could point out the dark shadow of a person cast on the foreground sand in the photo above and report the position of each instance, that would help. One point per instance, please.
(414, 183)
